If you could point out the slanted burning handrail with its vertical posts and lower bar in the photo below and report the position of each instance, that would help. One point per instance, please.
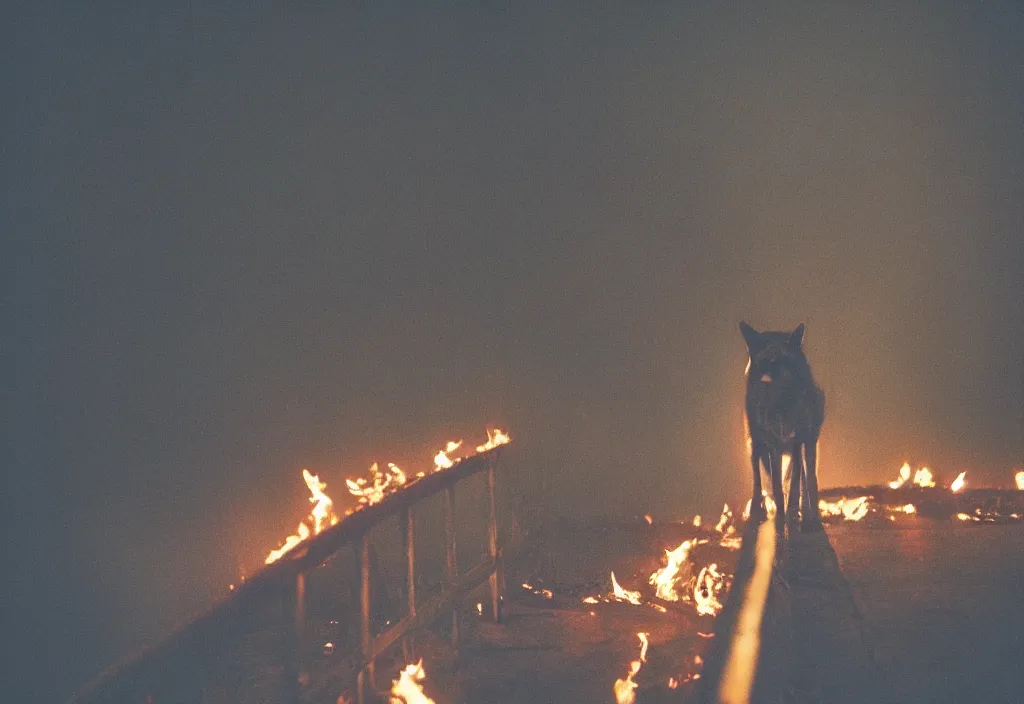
(285, 580)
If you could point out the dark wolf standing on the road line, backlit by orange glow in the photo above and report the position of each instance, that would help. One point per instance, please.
(785, 413)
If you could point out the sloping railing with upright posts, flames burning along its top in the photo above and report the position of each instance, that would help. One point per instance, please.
(284, 584)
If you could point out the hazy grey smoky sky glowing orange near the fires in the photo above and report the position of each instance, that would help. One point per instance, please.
(243, 242)
